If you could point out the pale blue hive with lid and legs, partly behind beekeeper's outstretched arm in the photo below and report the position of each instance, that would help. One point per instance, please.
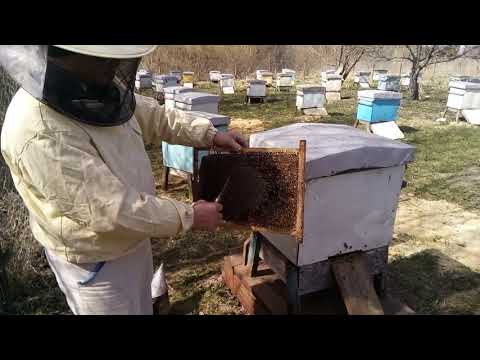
(188, 159)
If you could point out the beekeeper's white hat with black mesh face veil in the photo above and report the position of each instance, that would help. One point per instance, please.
(93, 84)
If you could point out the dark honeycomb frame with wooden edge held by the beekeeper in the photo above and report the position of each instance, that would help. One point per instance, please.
(265, 194)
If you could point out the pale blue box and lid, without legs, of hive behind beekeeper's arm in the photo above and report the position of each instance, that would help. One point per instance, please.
(181, 157)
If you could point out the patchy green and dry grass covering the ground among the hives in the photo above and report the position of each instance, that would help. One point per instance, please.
(430, 282)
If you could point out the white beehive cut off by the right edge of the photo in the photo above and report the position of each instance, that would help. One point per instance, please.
(463, 95)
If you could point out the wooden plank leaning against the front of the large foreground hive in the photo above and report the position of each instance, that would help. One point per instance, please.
(356, 284)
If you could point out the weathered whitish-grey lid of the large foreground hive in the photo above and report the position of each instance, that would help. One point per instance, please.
(333, 149)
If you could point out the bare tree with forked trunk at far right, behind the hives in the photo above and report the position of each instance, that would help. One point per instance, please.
(422, 56)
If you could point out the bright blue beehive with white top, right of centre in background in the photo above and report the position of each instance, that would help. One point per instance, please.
(378, 106)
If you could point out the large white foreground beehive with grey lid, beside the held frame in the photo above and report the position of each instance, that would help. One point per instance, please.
(352, 185)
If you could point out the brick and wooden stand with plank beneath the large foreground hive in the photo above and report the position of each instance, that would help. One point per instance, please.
(265, 282)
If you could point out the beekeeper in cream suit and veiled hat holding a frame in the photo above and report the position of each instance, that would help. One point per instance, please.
(74, 139)
